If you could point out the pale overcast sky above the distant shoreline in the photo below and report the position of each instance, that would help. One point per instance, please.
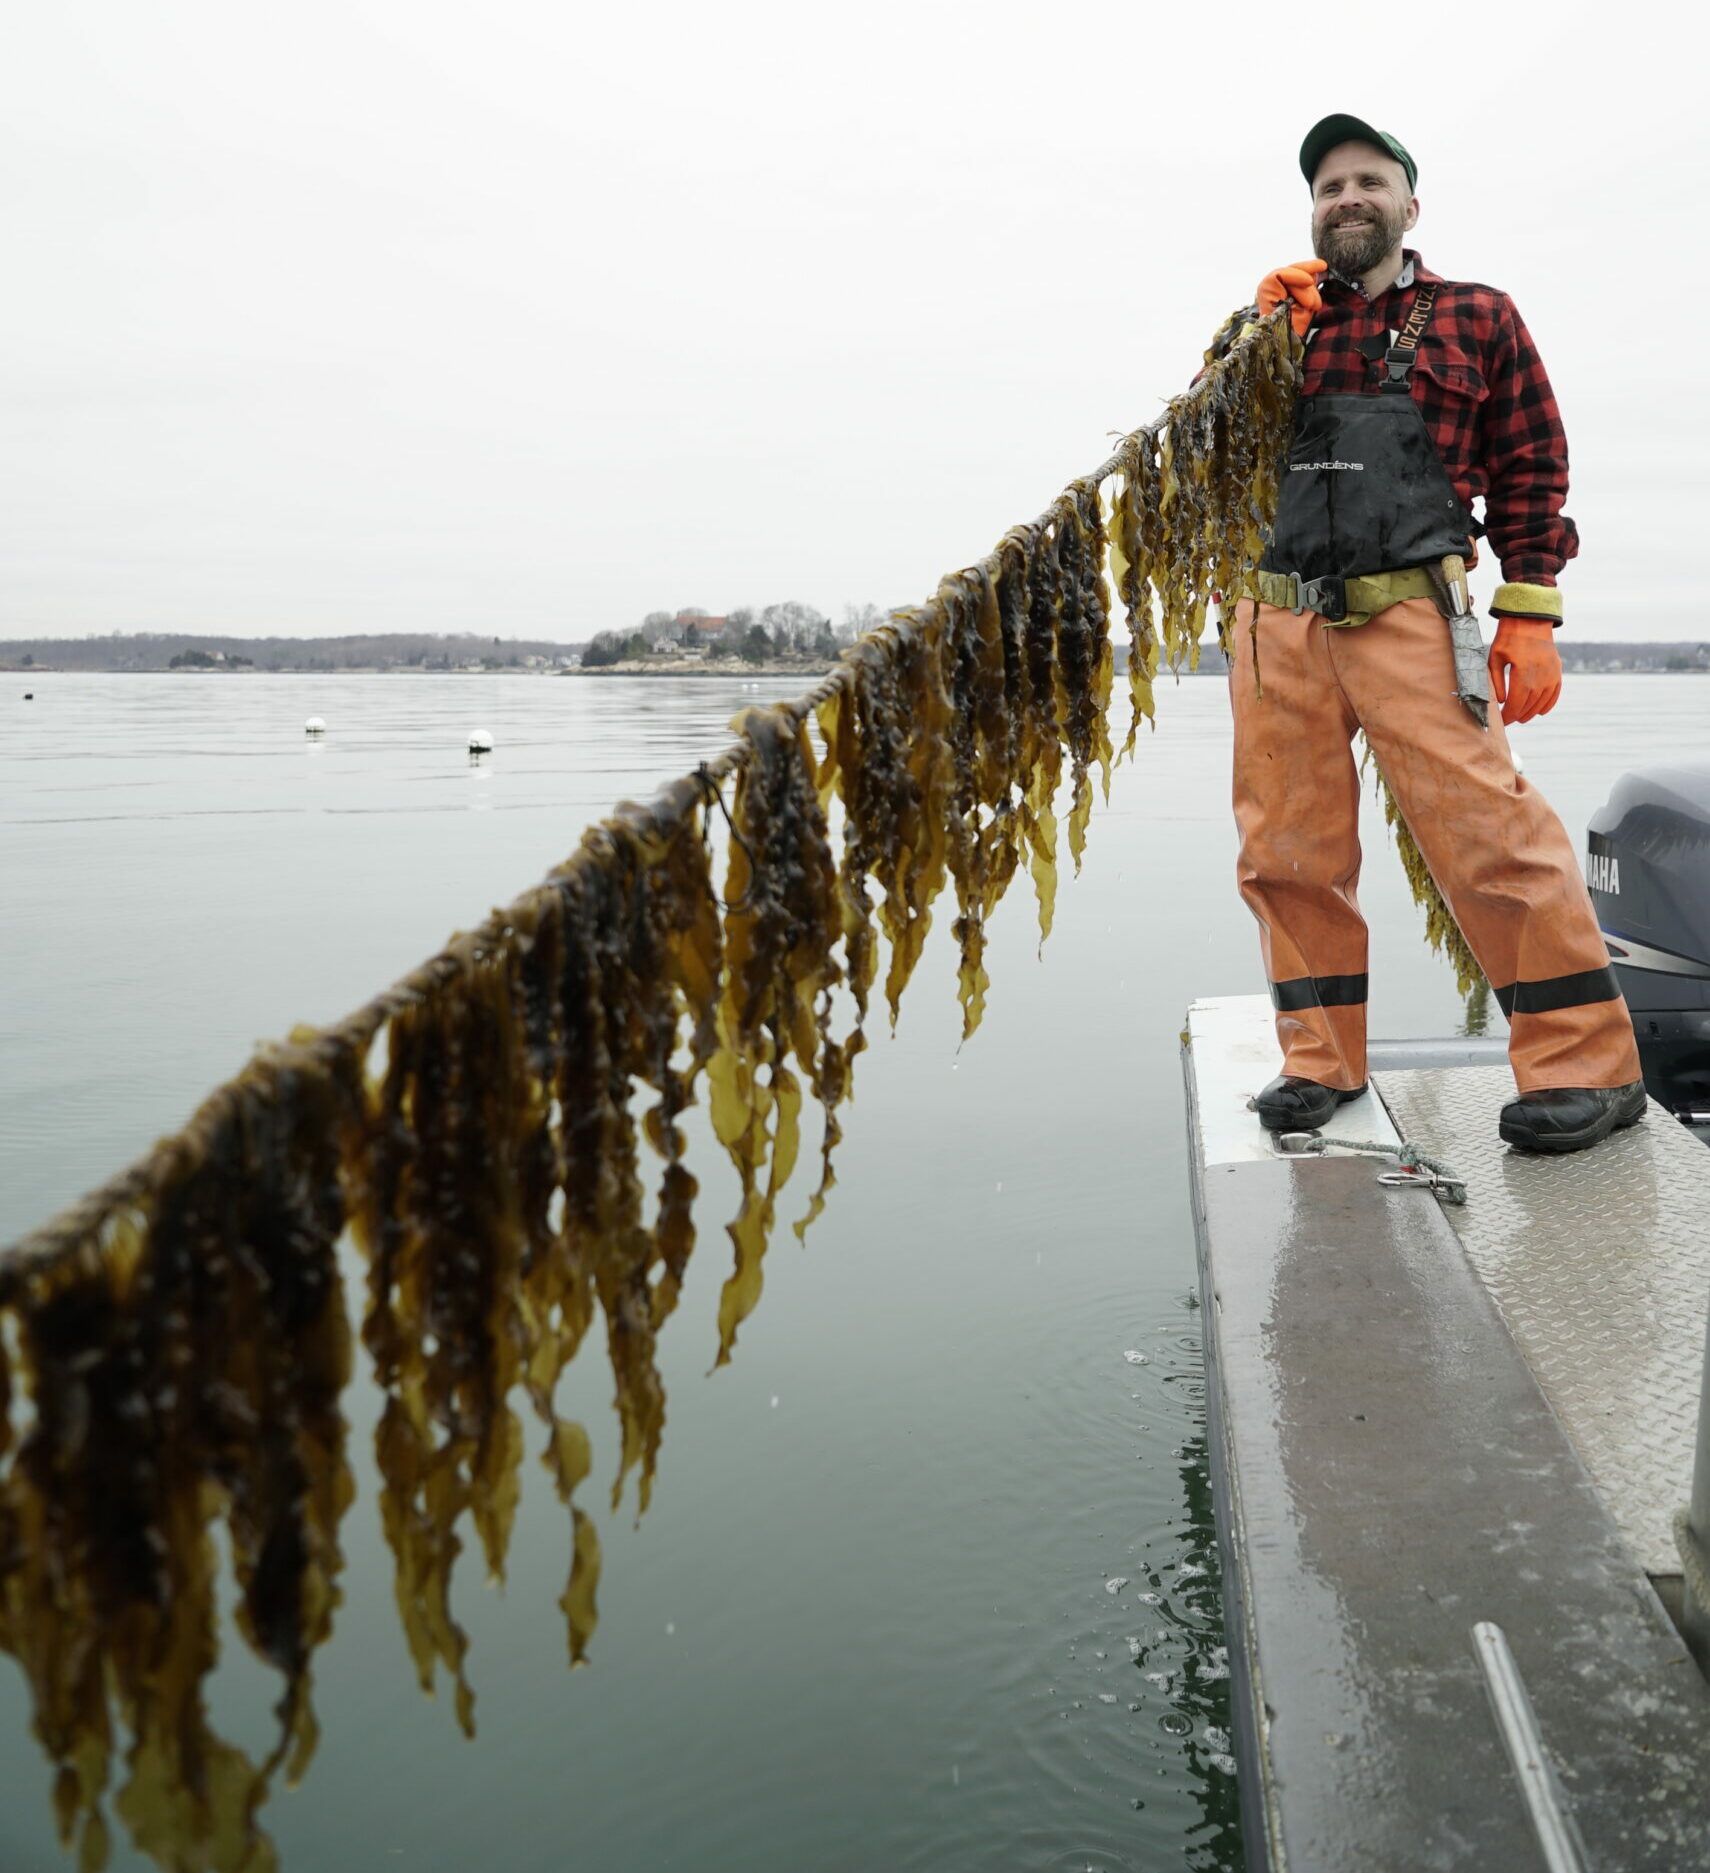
(527, 319)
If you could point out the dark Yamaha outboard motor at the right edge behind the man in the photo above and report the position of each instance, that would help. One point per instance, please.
(1649, 874)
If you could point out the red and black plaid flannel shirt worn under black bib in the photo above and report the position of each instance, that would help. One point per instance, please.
(1484, 396)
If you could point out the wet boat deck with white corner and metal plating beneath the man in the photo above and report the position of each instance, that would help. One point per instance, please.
(1432, 1423)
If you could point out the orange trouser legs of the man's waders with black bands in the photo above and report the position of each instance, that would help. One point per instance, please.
(1496, 848)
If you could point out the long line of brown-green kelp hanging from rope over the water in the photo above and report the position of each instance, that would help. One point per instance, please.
(173, 1348)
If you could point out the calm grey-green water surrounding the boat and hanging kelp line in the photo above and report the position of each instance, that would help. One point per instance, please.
(872, 1619)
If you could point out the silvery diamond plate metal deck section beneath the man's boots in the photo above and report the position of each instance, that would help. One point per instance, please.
(1600, 1267)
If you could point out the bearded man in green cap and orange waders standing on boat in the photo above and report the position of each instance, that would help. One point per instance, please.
(1421, 396)
